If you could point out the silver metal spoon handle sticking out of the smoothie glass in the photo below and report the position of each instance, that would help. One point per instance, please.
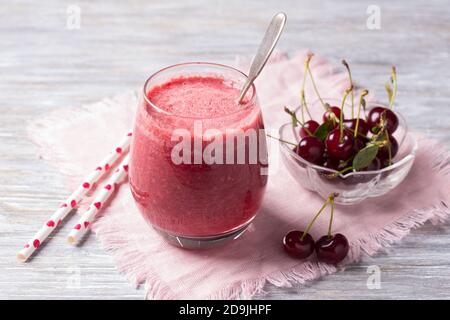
(265, 49)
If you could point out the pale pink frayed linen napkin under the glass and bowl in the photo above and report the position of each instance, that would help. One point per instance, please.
(74, 139)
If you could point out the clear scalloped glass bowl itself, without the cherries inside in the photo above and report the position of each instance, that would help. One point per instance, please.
(352, 187)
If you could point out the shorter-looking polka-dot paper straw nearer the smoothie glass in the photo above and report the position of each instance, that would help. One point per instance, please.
(80, 228)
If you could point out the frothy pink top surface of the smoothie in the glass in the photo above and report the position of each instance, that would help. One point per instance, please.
(196, 96)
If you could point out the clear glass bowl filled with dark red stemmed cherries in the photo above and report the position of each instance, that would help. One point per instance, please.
(347, 147)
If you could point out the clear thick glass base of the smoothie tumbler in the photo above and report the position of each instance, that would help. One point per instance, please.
(201, 242)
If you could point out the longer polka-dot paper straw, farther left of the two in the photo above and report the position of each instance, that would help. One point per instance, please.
(74, 199)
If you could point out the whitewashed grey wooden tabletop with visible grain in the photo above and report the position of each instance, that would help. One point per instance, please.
(45, 66)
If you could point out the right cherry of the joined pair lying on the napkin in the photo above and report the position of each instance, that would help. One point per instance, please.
(332, 249)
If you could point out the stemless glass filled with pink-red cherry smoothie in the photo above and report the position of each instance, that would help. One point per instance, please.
(198, 159)
